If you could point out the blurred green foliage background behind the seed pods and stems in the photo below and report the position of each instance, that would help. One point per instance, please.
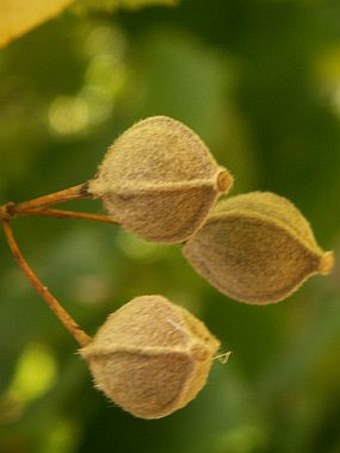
(260, 82)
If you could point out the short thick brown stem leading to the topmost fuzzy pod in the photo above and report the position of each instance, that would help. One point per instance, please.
(72, 193)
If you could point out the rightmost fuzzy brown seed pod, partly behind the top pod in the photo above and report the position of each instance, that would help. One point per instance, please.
(257, 248)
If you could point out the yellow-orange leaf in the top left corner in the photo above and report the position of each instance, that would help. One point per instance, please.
(17, 17)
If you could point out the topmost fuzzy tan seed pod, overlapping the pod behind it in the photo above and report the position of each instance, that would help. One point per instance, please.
(159, 180)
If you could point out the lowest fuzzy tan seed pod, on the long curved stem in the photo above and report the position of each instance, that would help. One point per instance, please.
(151, 357)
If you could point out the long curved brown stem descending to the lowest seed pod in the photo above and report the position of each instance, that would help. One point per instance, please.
(69, 323)
